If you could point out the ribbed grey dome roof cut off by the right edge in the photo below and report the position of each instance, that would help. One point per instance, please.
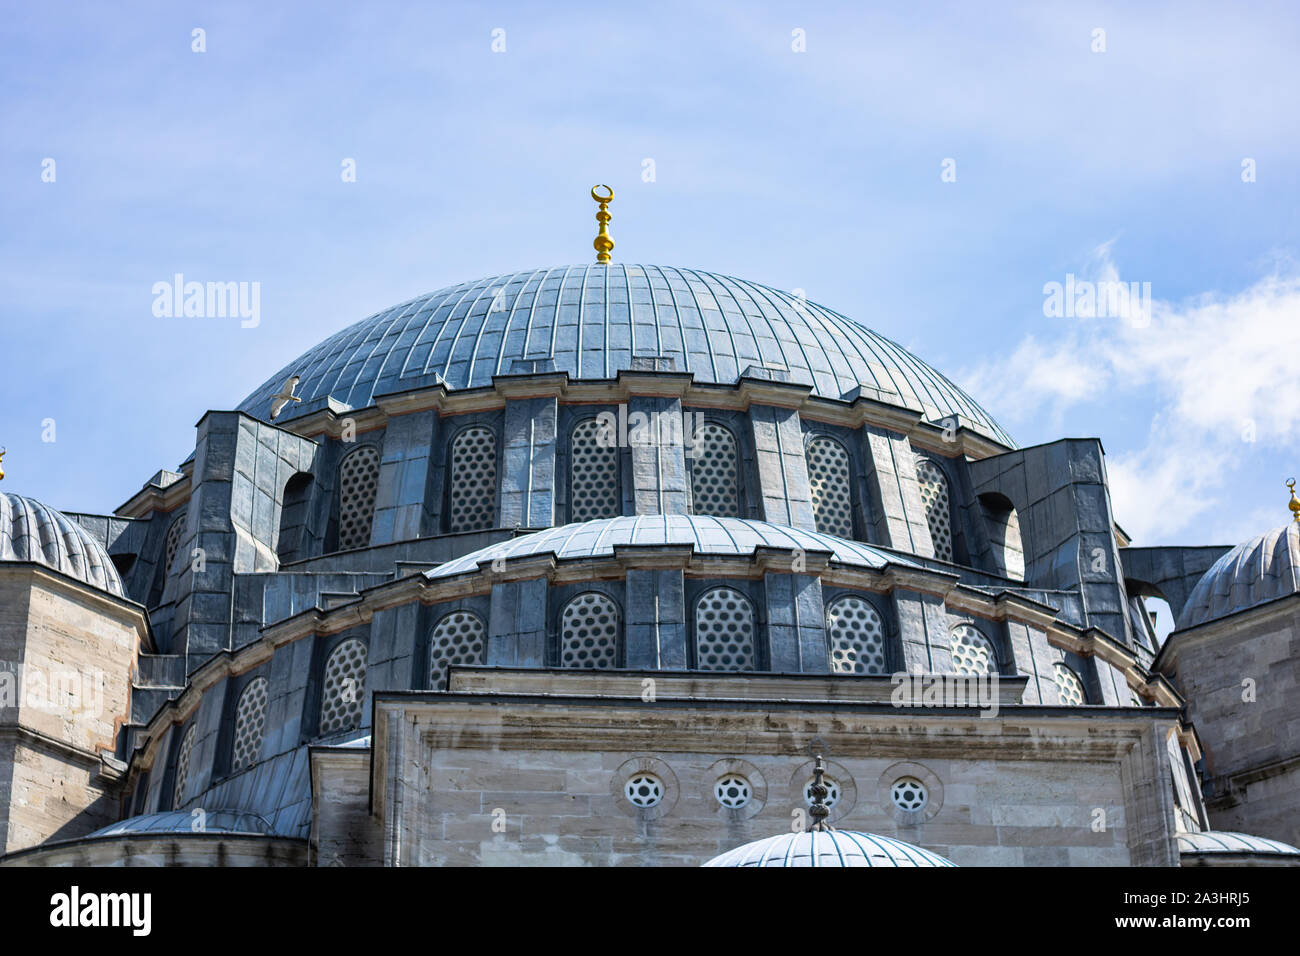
(1251, 574)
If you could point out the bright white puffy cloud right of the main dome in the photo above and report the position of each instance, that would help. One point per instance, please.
(1220, 373)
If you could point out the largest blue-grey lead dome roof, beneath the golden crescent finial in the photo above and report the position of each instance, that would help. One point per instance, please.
(592, 321)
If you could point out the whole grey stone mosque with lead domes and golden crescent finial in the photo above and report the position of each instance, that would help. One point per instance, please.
(635, 565)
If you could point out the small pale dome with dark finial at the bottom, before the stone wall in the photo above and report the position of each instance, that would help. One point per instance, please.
(830, 849)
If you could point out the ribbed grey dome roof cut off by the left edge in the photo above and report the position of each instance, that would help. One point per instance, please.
(31, 531)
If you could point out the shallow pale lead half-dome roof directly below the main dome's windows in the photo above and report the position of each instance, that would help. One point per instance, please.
(708, 535)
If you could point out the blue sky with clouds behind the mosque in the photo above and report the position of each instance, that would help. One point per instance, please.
(816, 170)
